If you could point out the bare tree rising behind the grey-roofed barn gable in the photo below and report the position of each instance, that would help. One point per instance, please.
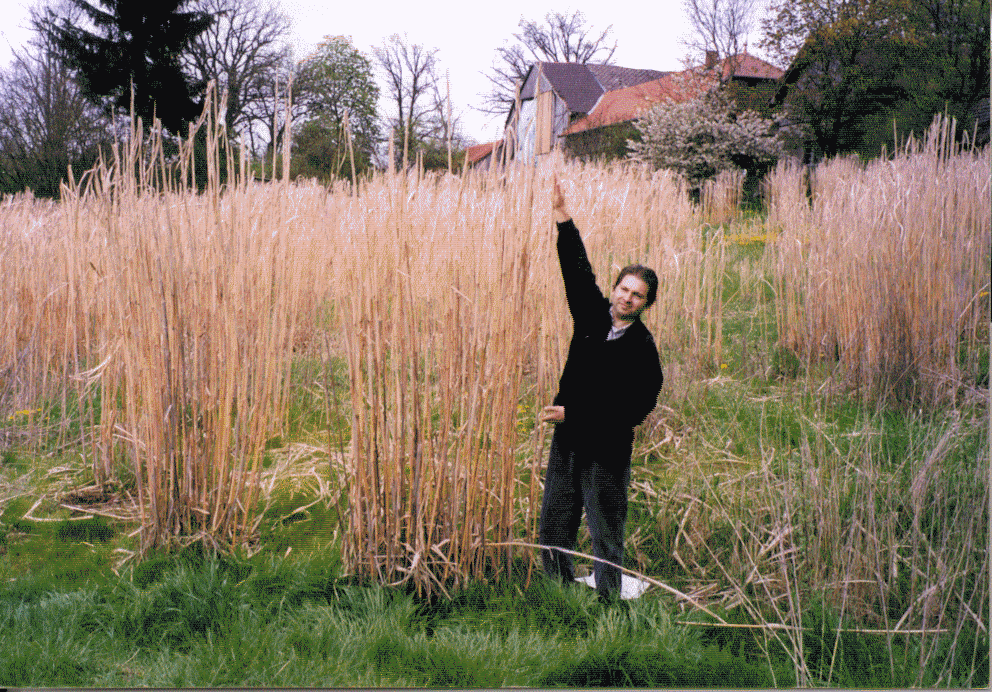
(561, 38)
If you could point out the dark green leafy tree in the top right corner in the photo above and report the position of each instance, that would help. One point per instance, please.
(858, 65)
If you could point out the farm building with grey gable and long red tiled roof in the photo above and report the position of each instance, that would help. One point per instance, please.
(589, 110)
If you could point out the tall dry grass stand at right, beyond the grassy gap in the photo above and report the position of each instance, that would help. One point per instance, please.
(886, 269)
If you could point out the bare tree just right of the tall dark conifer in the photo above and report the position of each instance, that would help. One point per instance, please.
(243, 51)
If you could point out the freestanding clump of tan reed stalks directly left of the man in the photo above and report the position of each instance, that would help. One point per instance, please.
(427, 481)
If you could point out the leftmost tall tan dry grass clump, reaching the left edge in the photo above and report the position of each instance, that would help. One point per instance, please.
(162, 320)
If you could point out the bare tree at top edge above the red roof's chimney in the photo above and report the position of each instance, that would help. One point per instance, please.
(719, 30)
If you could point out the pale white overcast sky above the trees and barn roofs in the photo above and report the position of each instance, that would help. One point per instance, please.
(648, 34)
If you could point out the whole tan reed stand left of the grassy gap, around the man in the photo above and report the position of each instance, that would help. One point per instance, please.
(180, 309)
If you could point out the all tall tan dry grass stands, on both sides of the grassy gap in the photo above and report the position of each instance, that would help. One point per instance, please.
(170, 319)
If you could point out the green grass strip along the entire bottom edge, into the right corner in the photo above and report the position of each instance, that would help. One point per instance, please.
(195, 620)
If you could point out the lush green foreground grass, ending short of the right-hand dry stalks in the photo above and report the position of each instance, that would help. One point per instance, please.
(187, 622)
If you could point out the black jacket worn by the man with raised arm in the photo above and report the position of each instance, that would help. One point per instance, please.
(607, 387)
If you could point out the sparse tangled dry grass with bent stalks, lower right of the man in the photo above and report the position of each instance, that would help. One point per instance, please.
(841, 537)
